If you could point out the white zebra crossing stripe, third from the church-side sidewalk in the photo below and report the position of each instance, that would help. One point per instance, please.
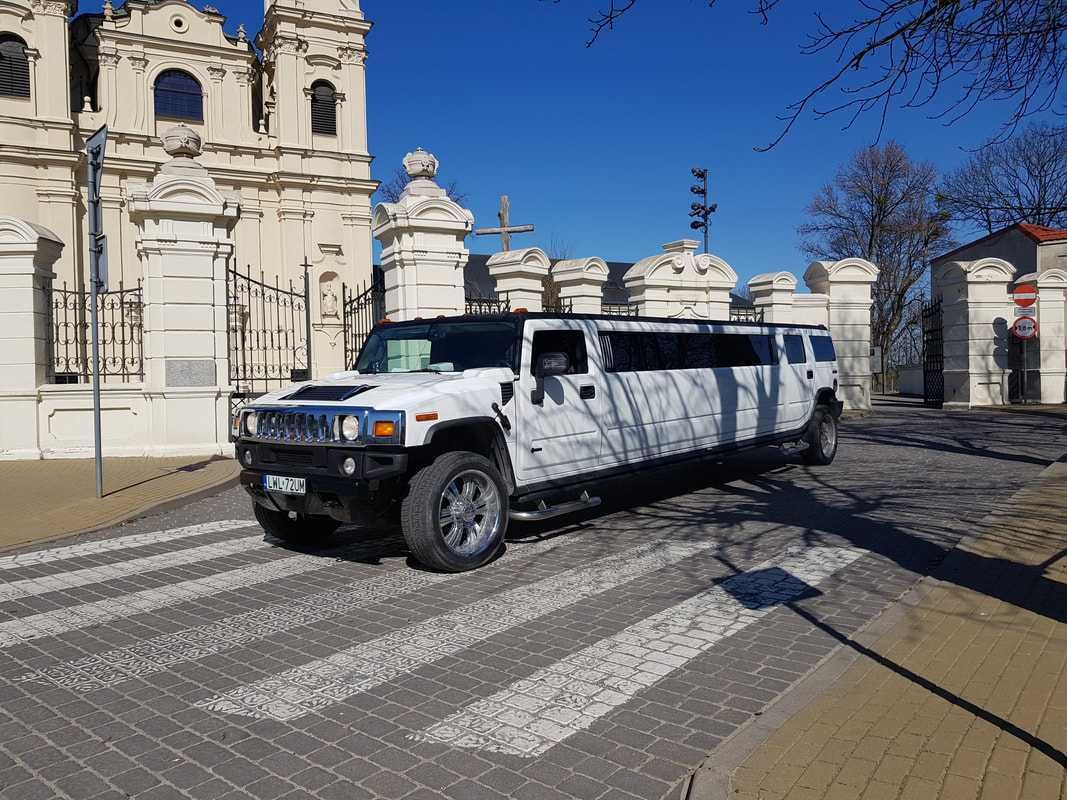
(109, 610)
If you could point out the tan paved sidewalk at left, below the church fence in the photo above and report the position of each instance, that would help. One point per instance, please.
(52, 499)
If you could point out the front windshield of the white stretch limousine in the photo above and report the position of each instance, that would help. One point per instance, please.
(440, 347)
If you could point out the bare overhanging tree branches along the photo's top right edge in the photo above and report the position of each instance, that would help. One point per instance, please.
(961, 53)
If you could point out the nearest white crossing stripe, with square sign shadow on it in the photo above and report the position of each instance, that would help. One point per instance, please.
(532, 716)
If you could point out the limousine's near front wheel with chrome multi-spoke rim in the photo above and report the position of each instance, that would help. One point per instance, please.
(456, 513)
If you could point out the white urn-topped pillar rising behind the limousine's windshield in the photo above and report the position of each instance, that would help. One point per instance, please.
(423, 253)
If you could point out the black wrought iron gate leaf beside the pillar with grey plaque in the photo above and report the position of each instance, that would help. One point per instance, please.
(268, 334)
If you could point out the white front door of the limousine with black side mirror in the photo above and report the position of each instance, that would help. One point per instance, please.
(562, 436)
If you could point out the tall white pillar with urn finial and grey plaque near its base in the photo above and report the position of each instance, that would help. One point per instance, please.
(185, 242)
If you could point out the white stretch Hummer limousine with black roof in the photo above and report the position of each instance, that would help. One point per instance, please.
(468, 422)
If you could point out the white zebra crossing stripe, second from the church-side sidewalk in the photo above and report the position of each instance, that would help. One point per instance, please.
(59, 582)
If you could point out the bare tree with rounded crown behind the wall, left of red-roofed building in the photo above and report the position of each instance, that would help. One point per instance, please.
(883, 207)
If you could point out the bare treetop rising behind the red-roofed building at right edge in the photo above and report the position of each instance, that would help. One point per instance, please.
(1021, 181)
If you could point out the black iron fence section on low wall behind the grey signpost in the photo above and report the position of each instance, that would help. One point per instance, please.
(121, 323)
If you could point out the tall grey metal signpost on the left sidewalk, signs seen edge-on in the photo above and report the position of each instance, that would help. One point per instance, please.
(95, 148)
